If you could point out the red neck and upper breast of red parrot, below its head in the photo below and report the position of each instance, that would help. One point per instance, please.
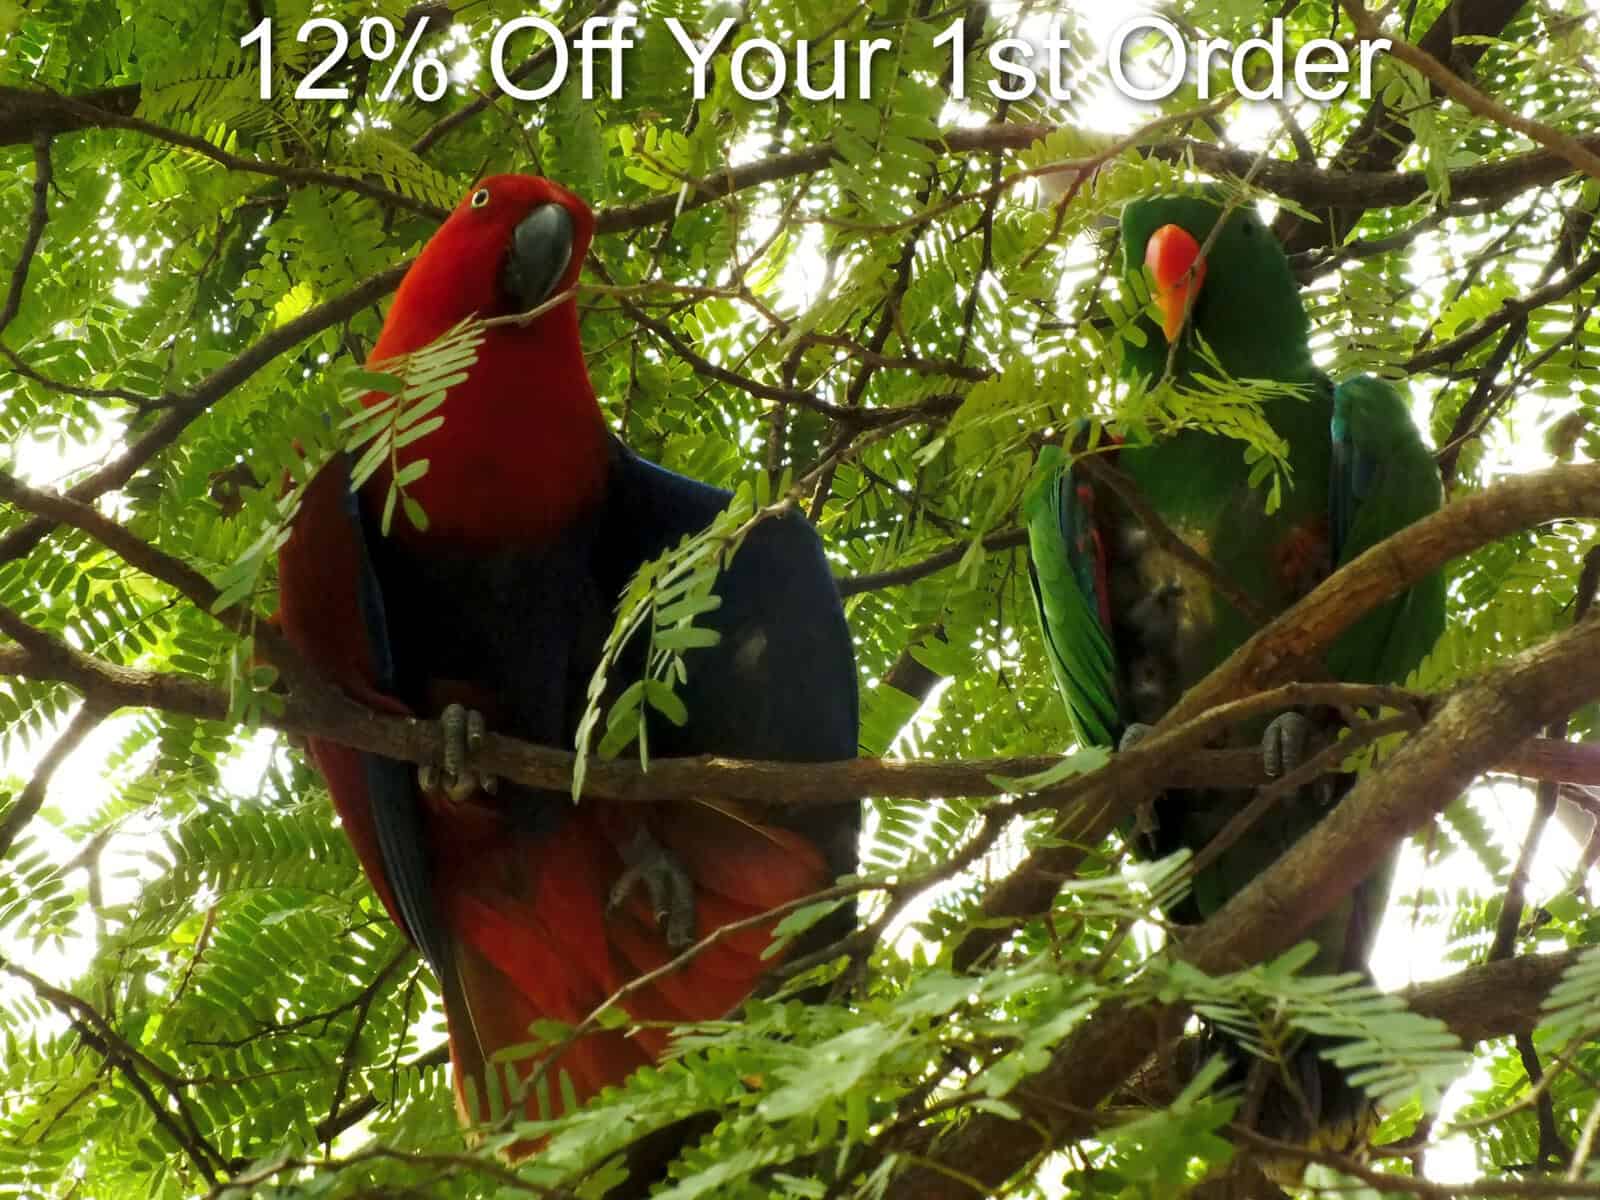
(522, 452)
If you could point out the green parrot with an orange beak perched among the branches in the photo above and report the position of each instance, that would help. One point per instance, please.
(1129, 626)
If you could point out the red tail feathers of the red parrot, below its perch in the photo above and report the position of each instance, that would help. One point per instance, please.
(538, 945)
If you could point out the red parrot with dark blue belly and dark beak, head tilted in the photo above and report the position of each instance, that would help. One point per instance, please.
(524, 903)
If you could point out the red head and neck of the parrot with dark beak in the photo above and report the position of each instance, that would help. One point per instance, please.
(522, 450)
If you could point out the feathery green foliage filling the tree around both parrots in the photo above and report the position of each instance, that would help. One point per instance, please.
(884, 322)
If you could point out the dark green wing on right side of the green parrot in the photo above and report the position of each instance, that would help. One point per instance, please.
(1383, 479)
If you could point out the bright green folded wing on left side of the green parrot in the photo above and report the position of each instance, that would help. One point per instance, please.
(1066, 591)
